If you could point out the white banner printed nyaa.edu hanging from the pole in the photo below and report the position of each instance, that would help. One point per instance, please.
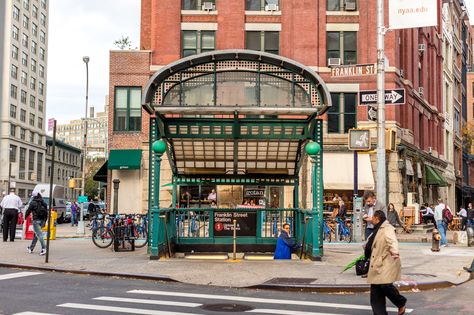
(412, 13)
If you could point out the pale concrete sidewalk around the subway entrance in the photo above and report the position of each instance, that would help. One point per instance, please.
(421, 268)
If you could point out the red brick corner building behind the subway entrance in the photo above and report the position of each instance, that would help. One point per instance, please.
(310, 32)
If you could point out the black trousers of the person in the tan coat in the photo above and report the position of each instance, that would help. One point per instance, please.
(378, 292)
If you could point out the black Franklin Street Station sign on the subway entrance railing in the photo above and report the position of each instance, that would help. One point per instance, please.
(246, 224)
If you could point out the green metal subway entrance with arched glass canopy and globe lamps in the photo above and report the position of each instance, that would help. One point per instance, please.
(236, 126)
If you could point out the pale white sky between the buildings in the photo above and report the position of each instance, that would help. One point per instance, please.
(89, 28)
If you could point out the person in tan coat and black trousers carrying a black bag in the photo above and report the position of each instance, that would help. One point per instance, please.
(385, 266)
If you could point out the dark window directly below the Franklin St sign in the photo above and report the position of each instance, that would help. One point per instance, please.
(342, 113)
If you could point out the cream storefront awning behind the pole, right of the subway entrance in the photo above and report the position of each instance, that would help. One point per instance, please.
(338, 171)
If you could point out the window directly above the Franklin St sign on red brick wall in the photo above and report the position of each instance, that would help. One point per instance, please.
(342, 45)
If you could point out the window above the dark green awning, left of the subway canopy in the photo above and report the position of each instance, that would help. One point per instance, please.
(128, 112)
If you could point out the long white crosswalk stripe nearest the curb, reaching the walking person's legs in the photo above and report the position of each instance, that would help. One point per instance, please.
(261, 300)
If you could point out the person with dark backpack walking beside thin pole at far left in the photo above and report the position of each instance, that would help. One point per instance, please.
(39, 211)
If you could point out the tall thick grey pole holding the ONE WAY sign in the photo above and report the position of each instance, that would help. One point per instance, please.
(381, 158)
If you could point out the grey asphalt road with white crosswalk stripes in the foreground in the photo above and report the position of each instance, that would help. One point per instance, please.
(29, 292)
